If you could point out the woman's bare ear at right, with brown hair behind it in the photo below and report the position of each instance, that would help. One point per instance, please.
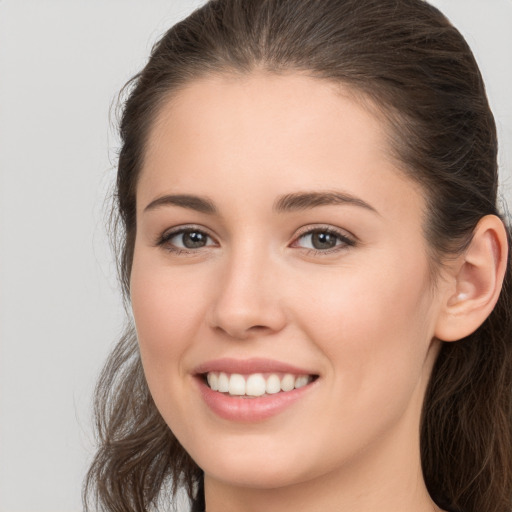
(475, 281)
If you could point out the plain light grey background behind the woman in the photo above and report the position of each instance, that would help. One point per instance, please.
(61, 65)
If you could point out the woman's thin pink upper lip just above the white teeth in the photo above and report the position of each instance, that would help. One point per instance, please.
(249, 366)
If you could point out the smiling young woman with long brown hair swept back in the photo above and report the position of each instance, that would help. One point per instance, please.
(316, 265)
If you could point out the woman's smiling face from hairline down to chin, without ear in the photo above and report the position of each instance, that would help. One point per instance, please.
(280, 257)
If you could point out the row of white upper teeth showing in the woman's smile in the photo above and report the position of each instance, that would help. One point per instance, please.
(255, 384)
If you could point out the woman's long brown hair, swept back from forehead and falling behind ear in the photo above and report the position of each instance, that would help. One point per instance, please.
(406, 58)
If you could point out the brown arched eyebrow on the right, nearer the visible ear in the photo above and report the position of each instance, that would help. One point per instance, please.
(306, 200)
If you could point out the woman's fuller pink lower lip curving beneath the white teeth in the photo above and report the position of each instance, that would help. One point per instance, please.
(249, 410)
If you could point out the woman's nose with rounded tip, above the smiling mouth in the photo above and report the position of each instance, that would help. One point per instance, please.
(248, 301)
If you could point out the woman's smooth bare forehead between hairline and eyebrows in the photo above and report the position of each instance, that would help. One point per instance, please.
(268, 133)
